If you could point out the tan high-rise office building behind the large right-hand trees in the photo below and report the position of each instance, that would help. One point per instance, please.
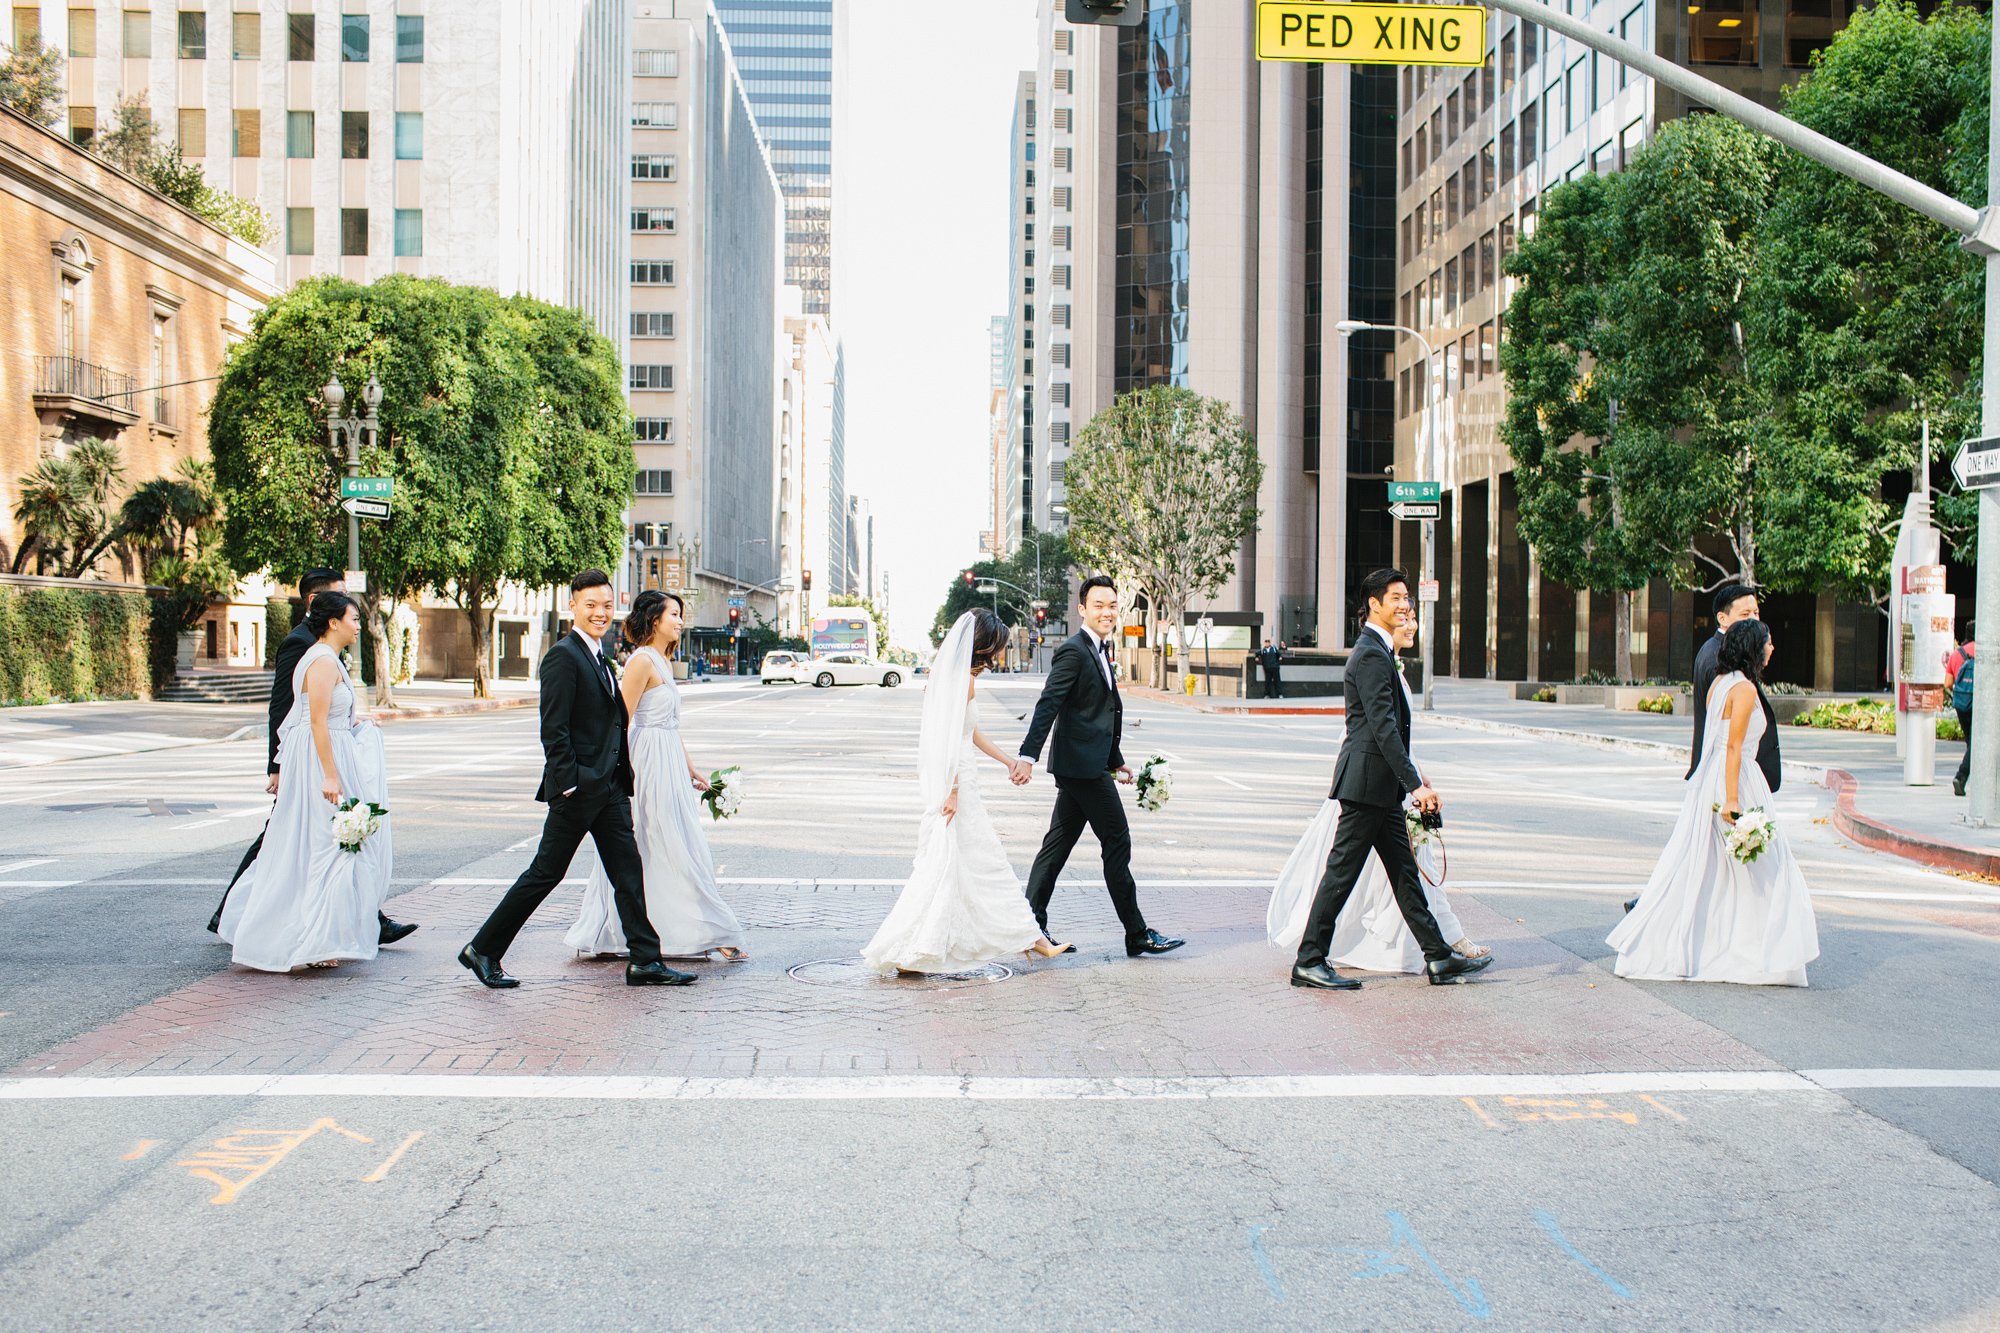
(1477, 153)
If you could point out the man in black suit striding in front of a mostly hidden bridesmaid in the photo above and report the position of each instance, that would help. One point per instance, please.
(1371, 780)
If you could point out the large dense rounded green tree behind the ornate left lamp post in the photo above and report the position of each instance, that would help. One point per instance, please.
(503, 429)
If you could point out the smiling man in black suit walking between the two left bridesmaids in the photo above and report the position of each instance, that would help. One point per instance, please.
(587, 782)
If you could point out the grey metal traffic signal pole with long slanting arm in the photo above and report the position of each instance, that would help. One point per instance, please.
(1979, 231)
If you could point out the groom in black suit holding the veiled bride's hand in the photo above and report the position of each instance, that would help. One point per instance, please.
(1087, 766)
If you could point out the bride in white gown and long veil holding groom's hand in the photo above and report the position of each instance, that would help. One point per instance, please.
(963, 904)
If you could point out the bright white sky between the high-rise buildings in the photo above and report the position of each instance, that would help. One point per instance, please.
(921, 267)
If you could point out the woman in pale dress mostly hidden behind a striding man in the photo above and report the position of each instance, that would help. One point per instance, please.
(1371, 934)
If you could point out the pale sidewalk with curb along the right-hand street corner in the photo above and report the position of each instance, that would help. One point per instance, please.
(1861, 770)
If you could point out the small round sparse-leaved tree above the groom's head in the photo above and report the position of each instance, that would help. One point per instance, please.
(1163, 491)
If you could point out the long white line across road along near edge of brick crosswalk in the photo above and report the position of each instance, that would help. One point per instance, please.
(903, 1088)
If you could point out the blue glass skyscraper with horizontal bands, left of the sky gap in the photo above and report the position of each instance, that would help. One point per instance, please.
(785, 51)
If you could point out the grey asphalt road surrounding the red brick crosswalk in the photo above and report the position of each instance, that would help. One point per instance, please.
(1143, 1204)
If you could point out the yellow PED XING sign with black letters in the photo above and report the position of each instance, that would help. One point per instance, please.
(1371, 33)
